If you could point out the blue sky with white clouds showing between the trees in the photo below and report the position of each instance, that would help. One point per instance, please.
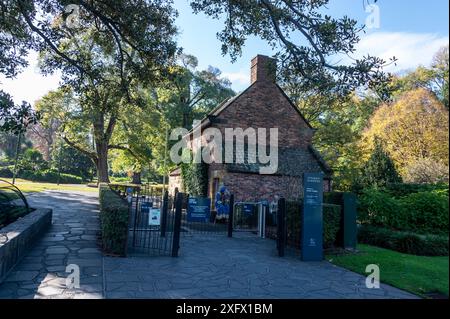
(412, 30)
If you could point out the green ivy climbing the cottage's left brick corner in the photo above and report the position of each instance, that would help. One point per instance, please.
(194, 176)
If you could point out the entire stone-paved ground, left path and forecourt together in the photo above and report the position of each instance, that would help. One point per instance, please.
(208, 267)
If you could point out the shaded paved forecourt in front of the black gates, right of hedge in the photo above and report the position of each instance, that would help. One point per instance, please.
(242, 267)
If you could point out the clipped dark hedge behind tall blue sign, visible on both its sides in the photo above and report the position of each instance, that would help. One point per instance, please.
(331, 222)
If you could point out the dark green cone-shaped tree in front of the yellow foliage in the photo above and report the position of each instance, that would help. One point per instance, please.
(379, 170)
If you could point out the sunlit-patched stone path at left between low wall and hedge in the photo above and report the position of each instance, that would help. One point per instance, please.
(72, 239)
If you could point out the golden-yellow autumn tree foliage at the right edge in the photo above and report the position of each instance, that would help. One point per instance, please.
(412, 128)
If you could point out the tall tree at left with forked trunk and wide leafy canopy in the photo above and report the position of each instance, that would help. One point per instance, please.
(101, 48)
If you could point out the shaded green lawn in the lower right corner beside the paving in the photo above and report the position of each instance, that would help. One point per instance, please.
(417, 274)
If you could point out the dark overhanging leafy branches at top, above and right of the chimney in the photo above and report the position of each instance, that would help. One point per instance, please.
(306, 39)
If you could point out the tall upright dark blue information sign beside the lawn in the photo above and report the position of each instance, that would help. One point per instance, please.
(312, 217)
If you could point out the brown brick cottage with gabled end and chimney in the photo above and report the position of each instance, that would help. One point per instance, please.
(263, 105)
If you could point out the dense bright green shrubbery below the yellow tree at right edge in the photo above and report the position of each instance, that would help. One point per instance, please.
(421, 212)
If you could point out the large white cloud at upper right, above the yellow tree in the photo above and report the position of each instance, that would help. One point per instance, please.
(411, 49)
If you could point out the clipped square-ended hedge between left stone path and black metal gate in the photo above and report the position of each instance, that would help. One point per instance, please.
(114, 221)
